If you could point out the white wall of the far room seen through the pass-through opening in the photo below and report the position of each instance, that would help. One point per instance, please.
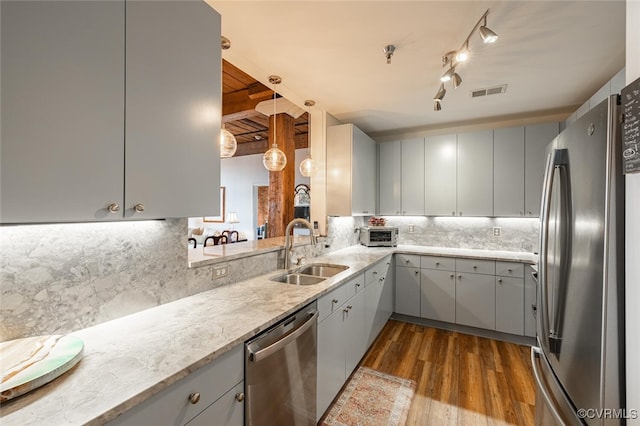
(239, 175)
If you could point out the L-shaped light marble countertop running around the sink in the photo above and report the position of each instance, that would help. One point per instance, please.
(129, 359)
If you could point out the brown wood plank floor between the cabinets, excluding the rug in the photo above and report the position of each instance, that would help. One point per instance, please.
(461, 379)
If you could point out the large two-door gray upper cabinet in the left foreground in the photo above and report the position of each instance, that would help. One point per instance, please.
(78, 98)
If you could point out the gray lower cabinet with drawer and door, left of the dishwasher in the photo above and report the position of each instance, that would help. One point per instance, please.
(211, 394)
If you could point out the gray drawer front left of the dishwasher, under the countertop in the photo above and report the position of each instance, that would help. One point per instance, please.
(172, 406)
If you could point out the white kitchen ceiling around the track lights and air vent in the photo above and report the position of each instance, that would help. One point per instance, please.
(553, 55)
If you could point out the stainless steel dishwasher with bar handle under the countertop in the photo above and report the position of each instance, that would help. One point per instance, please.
(281, 372)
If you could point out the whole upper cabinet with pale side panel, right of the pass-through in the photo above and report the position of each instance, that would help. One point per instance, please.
(351, 172)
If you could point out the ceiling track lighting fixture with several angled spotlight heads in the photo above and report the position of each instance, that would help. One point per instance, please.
(455, 57)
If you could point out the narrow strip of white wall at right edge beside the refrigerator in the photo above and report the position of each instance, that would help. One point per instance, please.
(632, 233)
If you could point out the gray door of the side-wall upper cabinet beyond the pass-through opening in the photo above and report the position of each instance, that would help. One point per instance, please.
(363, 174)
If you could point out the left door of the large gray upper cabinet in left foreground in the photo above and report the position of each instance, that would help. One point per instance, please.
(62, 105)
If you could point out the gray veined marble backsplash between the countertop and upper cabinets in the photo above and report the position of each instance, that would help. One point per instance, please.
(58, 278)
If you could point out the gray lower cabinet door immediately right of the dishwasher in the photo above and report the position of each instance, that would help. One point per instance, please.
(331, 360)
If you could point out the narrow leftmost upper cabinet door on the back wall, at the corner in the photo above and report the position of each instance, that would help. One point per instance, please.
(390, 177)
